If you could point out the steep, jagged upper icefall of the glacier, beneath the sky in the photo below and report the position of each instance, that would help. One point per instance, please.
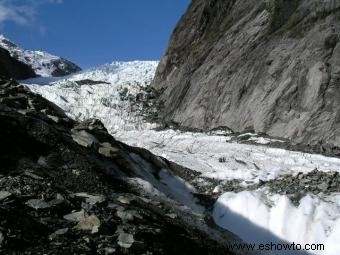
(104, 100)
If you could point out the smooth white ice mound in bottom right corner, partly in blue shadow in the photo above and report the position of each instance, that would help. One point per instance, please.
(261, 218)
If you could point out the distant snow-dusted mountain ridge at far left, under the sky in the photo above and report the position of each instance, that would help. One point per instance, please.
(43, 63)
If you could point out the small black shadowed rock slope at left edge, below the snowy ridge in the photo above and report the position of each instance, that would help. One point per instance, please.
(10, 67)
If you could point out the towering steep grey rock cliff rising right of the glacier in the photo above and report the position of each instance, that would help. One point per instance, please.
(267, 66)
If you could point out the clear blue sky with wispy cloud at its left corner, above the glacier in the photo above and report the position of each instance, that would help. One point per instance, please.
(92, 32)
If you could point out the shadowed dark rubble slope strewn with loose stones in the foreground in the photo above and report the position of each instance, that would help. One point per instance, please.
(64, 189)
